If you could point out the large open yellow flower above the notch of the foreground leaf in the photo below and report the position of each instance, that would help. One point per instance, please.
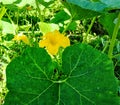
(52, 41)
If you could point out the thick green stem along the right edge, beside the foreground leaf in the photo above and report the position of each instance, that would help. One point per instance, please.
(112, 42)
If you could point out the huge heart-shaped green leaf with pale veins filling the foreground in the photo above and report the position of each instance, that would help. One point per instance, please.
(86, 78)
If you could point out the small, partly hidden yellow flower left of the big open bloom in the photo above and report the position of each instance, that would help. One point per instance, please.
(22, 37)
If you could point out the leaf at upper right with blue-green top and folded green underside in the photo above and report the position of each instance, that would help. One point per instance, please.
(81, 9)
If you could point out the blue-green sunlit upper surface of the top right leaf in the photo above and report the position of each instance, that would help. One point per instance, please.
(98, 6)
